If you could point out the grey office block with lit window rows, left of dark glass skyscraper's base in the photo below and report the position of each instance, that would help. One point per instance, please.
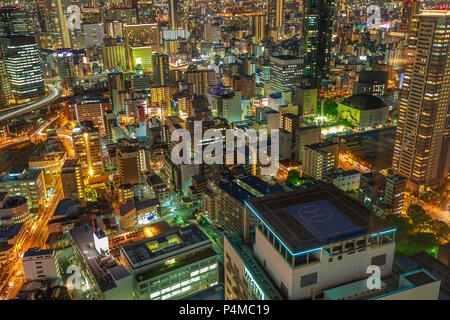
(285, 72)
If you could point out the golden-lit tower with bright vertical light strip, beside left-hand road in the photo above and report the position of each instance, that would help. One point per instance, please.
(86, 142)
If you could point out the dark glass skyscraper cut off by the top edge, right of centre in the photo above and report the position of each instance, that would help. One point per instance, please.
(317, 34)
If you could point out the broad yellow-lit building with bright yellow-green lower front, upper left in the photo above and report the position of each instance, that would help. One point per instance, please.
(141, 41)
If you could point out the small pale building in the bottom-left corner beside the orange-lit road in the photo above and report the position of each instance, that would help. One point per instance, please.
(40, 263)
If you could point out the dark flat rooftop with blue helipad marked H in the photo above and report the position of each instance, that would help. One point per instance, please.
(316, 216)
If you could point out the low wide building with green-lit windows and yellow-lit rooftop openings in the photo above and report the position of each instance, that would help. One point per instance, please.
(172, 265)
